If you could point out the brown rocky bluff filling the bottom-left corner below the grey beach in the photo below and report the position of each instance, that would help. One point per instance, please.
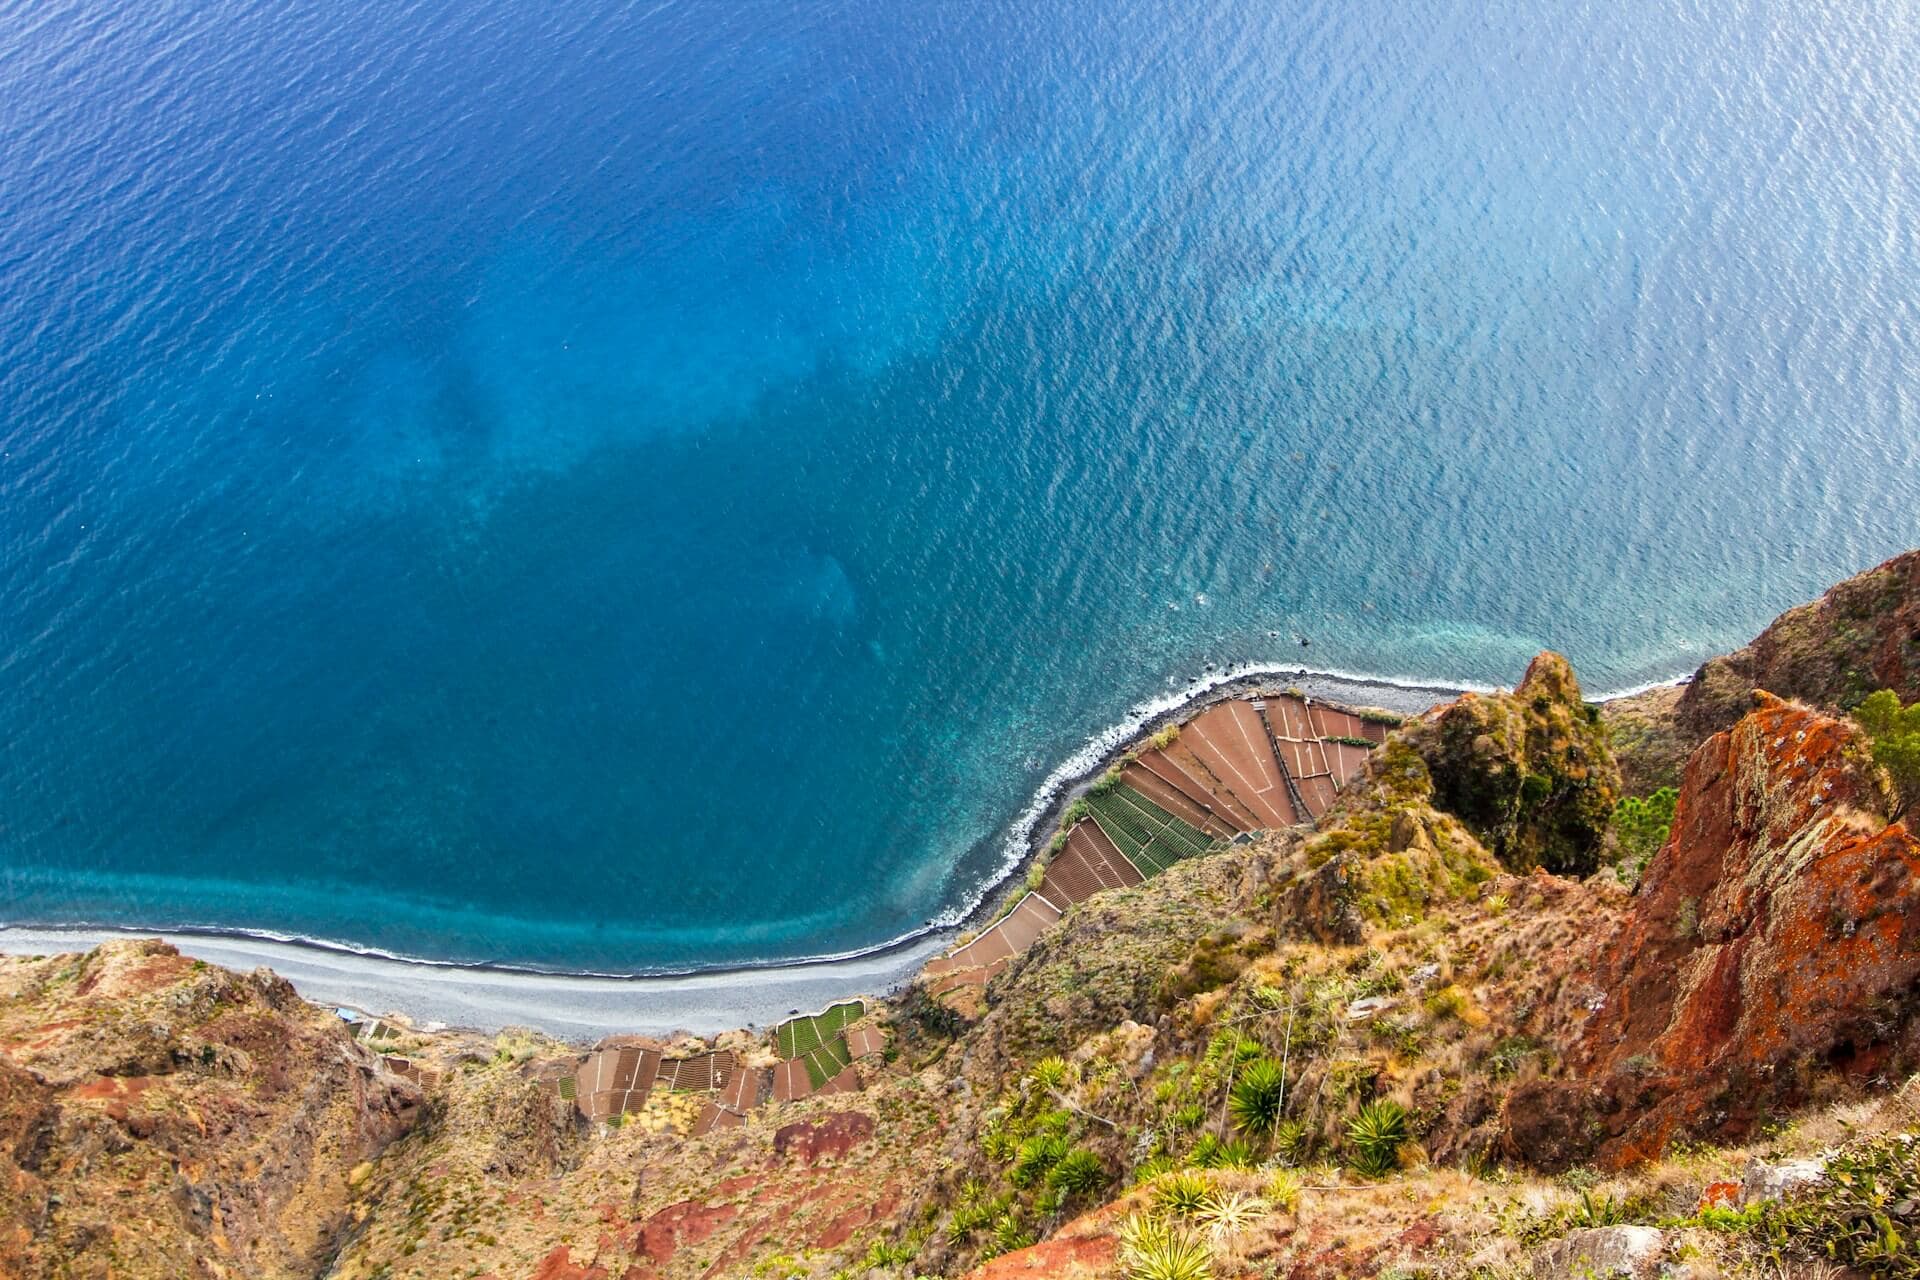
(164, 1118)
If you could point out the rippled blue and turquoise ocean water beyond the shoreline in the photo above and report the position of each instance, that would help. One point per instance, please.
(652, 485)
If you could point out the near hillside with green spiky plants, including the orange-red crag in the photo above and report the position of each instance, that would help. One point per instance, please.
(1452, 1018)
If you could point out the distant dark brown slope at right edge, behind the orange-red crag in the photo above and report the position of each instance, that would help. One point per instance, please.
(1861, 636)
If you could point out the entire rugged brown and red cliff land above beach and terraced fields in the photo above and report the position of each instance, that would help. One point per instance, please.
(1435, 1033)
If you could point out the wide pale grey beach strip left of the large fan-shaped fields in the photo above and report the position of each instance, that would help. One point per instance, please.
(573, 1008)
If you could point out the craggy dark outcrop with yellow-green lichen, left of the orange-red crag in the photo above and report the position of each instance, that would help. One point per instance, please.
(1529, 772)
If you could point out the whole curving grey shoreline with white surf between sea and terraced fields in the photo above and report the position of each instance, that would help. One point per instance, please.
(587, 1007)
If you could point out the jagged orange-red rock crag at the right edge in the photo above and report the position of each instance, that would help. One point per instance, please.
(1775, 943)
